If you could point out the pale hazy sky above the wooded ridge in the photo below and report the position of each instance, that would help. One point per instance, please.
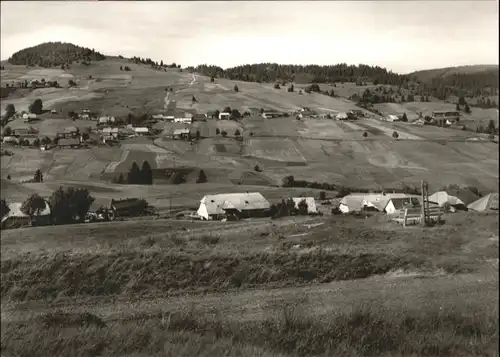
(402, 36)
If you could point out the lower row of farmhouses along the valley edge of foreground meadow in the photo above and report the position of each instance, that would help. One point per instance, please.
(255, 205)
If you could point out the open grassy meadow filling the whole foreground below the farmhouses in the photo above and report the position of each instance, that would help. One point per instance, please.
(288, 287)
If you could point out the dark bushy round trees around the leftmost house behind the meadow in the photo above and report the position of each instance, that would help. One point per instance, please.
(67, 205)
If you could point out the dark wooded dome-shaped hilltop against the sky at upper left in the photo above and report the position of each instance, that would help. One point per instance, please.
(51, 54)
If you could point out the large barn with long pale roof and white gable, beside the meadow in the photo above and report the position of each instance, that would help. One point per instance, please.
(240, 205)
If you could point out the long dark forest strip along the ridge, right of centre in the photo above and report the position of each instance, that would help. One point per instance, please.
(272, 72)
